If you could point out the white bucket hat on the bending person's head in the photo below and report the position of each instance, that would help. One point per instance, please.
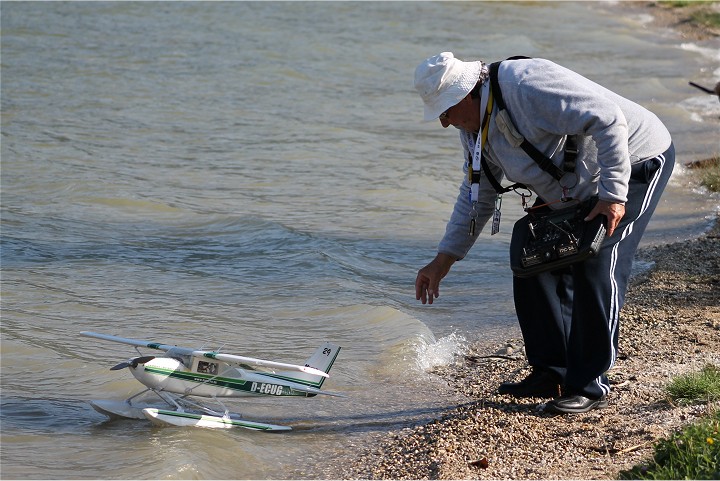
(443, 80)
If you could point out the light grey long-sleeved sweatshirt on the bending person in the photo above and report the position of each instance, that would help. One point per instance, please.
(546, 103)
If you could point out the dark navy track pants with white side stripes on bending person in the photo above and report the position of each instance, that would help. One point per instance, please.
(570, 319)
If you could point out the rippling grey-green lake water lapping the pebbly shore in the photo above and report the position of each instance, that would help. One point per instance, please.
(257, 176)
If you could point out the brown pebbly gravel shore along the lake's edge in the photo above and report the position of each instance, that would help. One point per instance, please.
(670, 325)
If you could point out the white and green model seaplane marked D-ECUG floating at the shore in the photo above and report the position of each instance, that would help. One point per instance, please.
(182, 374)
